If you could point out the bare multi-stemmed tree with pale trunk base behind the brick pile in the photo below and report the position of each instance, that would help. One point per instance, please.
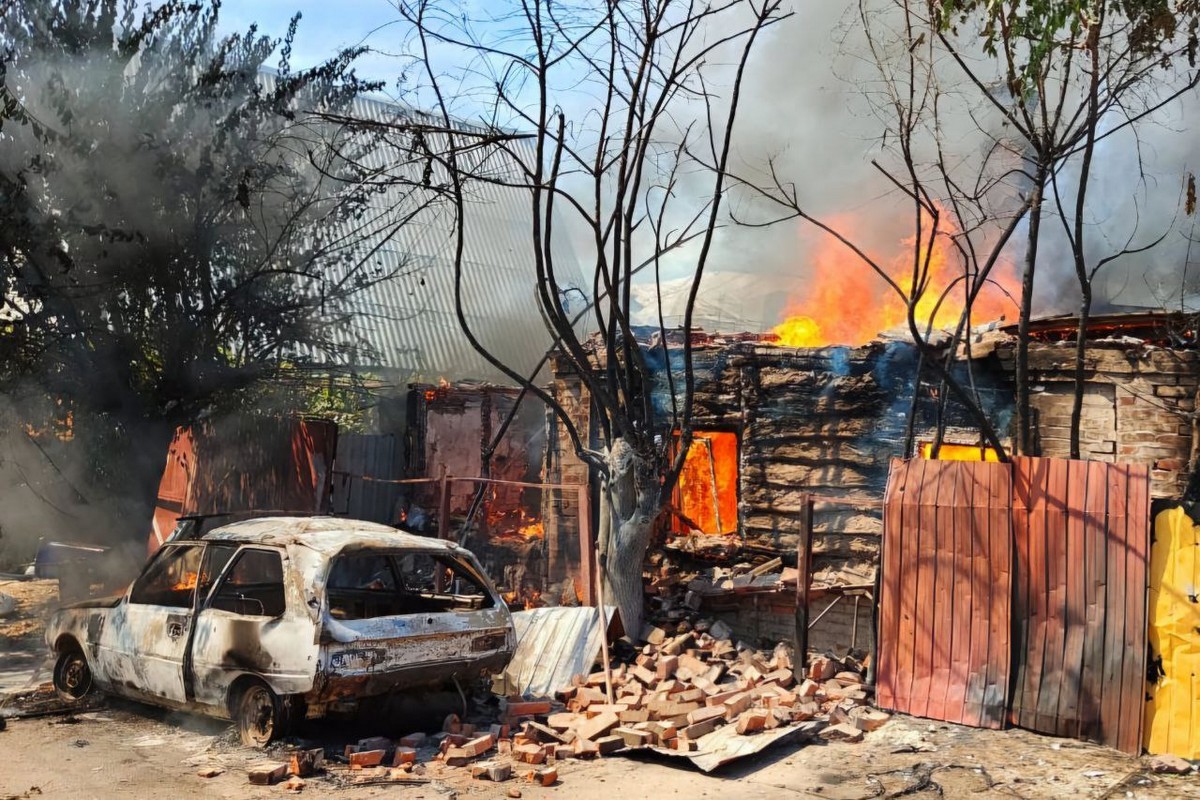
(663, 85)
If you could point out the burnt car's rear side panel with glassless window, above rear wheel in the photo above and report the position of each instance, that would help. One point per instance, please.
(250, 625)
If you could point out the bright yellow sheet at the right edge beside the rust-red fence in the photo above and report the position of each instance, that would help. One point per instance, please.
(1173, 709)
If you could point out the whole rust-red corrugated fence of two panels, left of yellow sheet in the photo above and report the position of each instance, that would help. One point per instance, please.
(1017, 592)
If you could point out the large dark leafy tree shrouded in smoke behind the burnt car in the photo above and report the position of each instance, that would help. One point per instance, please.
(176, 224)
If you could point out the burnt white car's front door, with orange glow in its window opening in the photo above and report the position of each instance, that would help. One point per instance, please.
(143, 645)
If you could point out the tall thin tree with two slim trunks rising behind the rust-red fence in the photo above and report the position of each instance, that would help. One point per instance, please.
(1073, 74)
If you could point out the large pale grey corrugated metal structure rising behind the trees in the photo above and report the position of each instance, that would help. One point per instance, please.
(407, 321)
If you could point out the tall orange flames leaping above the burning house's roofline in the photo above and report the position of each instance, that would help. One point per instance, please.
(847, 303)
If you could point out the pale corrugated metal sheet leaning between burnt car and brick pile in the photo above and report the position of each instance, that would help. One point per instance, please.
(554, 646)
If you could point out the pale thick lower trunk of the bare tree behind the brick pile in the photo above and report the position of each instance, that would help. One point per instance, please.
(627, 519)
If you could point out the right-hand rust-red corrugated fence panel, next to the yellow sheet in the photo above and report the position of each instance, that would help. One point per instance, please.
(1082, 534)
